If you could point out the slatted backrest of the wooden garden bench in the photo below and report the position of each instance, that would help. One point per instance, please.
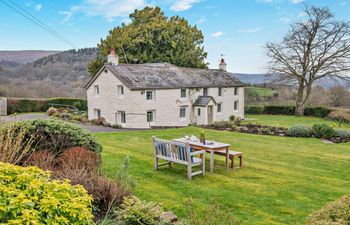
(172, 150)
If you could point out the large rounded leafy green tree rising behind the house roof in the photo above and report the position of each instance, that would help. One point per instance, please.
(152, 37)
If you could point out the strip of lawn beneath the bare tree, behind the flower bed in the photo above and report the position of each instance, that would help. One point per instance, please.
(288, 121)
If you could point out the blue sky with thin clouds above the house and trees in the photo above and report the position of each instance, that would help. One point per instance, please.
(238, 29)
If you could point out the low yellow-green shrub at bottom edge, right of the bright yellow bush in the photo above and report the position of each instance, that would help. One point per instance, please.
(134, 211)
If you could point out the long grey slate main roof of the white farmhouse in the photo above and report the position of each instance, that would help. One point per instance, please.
(168, 76)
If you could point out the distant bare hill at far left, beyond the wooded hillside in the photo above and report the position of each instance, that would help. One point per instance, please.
(25, 56)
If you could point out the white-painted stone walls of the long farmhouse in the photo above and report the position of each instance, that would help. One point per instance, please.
(166, 103)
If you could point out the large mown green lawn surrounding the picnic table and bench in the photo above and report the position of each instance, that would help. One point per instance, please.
(283, 181)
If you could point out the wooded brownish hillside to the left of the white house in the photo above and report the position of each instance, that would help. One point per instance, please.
(62, 74)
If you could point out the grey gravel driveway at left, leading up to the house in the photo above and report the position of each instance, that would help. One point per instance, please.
(33, 116)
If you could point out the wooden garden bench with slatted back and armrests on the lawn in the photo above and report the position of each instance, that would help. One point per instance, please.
(176, 152)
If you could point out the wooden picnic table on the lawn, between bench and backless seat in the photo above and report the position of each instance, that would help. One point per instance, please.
(211, 148)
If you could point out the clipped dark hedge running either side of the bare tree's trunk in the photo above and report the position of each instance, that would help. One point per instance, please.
(287, 110)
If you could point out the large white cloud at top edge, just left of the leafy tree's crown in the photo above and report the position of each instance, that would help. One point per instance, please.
(109, 9)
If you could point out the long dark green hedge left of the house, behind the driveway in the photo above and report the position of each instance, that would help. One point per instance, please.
(20, 105)
